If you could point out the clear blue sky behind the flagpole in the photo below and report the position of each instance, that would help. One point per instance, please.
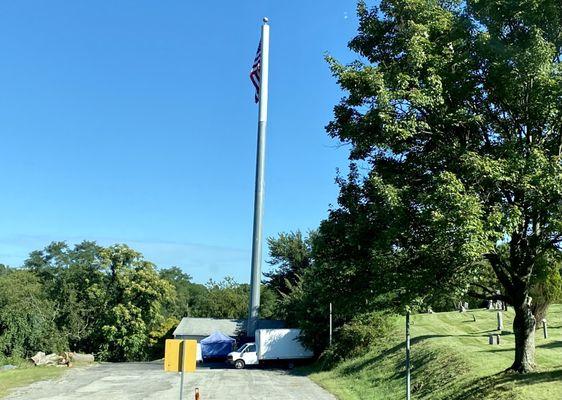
(133, 122)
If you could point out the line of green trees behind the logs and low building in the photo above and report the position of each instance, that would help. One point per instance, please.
(109, 301)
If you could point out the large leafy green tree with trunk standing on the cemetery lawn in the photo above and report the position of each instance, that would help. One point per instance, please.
(455, 111)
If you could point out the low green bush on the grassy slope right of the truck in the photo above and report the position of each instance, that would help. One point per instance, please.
(356, 337)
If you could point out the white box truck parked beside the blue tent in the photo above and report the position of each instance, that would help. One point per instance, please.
(271, 345)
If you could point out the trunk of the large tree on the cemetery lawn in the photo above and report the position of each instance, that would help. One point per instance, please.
(524, 330)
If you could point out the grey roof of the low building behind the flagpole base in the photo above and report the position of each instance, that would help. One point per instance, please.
(189, 326)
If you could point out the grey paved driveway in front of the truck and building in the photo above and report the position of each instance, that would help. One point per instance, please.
(128, 381)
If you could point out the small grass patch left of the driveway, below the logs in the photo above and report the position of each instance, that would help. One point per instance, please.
(25, 374)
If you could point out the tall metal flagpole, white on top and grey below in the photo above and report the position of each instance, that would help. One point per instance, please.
(260, 183)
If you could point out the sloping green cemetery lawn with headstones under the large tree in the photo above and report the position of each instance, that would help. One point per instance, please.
(451, 359)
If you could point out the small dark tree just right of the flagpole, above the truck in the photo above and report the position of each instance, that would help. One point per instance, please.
(290, 255)
